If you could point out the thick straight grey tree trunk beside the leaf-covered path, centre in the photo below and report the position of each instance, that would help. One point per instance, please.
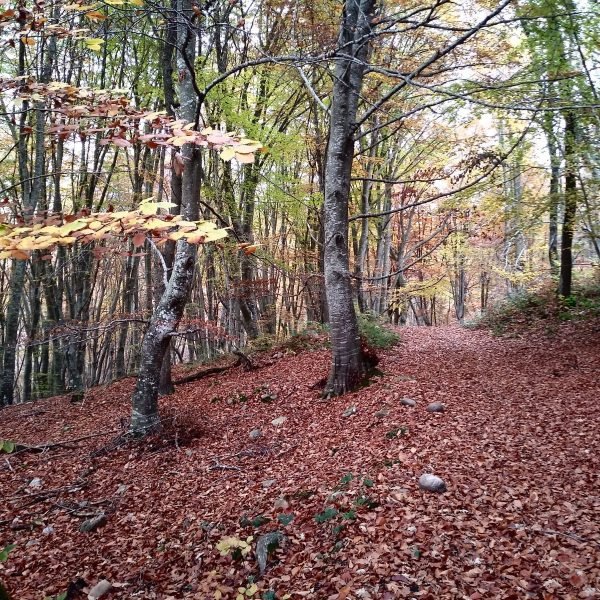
(348, 366)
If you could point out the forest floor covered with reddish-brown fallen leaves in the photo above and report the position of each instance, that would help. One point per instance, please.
(518, 447)
